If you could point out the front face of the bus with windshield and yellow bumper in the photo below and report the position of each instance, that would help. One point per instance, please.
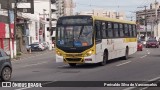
(74, 40)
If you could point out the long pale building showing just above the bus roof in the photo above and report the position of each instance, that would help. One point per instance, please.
(104, 13)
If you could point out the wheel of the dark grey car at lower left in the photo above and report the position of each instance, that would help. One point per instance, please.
(6, 74)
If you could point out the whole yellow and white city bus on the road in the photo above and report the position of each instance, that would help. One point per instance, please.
(92, 39)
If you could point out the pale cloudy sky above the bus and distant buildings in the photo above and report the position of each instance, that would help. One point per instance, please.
(127, 6)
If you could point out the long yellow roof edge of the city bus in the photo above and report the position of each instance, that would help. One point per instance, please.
(103, 19)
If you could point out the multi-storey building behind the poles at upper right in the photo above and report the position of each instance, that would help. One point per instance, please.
(151, 23)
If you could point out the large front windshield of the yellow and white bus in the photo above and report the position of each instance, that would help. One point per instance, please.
(74, 36)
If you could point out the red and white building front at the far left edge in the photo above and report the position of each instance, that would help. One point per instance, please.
(6, 39)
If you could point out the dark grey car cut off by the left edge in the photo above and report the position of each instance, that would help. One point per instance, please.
(5, 66)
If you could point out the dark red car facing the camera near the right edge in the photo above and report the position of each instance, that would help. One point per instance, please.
(152, 43)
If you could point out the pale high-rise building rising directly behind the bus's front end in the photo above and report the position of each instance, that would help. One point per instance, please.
(64, 7)
